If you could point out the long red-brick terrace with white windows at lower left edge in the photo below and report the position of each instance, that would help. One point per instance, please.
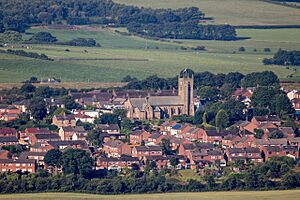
(10, 165)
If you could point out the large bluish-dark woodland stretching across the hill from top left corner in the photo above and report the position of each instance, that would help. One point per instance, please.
(20, 15)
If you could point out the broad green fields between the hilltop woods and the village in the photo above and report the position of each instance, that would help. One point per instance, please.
(121, 55)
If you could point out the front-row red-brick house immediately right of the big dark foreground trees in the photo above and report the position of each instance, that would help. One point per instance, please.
(117, 163)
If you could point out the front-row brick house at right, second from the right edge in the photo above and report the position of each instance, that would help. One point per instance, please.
(251, 153)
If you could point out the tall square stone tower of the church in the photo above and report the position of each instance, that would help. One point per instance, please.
(185, 91)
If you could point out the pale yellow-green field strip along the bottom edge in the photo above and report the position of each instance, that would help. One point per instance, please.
(264, 195)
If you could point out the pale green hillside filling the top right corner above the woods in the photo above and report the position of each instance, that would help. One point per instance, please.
(235, 12)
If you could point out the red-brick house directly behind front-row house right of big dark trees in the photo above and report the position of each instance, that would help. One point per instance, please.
(116, 148)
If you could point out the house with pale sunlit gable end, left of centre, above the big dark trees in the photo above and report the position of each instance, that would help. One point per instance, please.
(72, 133)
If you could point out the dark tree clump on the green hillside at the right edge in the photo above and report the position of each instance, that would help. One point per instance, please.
(283, 57)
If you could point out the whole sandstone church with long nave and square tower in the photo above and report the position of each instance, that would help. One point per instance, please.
(160, 107)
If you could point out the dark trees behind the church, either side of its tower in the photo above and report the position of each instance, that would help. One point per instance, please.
(233, 79)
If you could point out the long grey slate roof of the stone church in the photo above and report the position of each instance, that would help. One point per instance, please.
(156, 101)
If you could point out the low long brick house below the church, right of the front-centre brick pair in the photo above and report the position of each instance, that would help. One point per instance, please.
(142, 151)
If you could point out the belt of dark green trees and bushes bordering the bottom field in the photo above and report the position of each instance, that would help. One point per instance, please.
(276, 173)
